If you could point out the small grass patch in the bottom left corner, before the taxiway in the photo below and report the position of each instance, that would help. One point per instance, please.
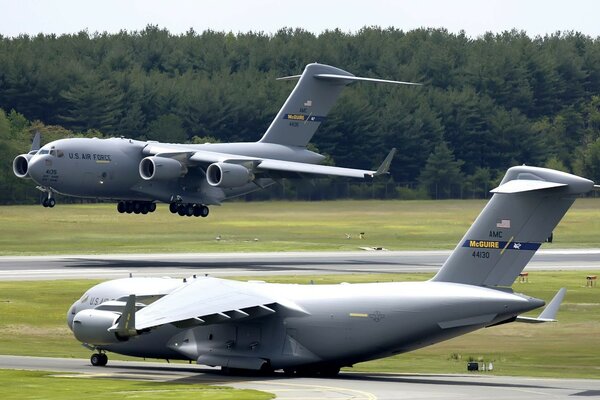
(51, 385)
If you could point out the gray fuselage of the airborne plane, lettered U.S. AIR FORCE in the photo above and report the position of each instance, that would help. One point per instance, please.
(109, 169)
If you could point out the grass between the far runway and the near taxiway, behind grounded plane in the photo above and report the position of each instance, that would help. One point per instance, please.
(34, 314)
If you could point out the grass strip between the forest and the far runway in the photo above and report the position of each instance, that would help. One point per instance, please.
(264, 226)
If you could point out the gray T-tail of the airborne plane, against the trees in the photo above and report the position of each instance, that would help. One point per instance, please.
(307, 106)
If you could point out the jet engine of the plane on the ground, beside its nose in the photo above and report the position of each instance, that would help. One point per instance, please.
(91, 326)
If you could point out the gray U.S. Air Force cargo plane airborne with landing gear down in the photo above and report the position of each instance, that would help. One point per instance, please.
(191, 177)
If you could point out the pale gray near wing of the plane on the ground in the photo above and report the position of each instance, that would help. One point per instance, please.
(209, 300)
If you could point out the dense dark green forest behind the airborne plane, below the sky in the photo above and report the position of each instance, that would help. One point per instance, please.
(486, 103)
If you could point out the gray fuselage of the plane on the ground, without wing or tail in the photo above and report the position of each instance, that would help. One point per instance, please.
(344, 324)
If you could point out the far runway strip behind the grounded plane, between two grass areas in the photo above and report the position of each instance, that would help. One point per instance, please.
(250, 264)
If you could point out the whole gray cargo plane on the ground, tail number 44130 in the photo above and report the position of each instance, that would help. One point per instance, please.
(318, 329)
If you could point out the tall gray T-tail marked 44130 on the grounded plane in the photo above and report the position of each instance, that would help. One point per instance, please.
(520, 216)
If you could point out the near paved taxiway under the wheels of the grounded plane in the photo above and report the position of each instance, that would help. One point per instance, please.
(348, 385)
